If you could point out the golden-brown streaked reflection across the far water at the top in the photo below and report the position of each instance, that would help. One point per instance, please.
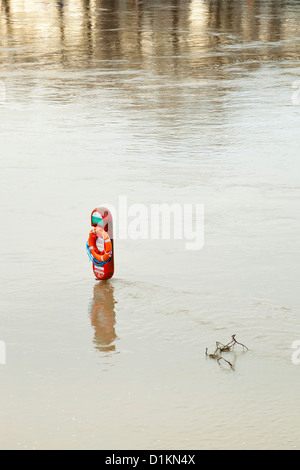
(175, 35)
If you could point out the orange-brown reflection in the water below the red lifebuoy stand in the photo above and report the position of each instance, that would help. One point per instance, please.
(103, 317)
